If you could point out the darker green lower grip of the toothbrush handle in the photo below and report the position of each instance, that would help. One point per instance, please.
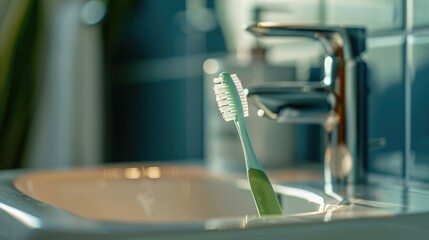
(263, 193)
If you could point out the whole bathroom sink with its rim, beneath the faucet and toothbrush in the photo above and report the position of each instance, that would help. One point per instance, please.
(190, 202)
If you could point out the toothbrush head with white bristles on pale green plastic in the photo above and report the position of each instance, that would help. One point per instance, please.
(230, 96)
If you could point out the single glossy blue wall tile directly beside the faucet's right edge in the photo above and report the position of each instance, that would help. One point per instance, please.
(386, 104)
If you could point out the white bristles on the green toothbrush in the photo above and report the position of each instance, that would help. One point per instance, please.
(224, 98)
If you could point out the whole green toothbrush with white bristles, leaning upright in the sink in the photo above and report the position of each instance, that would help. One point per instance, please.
(232, 103)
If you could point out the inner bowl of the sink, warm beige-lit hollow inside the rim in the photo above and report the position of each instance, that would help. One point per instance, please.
(157, 194)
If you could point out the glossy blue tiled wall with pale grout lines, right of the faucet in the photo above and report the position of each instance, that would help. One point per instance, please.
(398, 61)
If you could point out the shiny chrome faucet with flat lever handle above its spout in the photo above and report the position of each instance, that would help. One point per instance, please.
(337, 102)
